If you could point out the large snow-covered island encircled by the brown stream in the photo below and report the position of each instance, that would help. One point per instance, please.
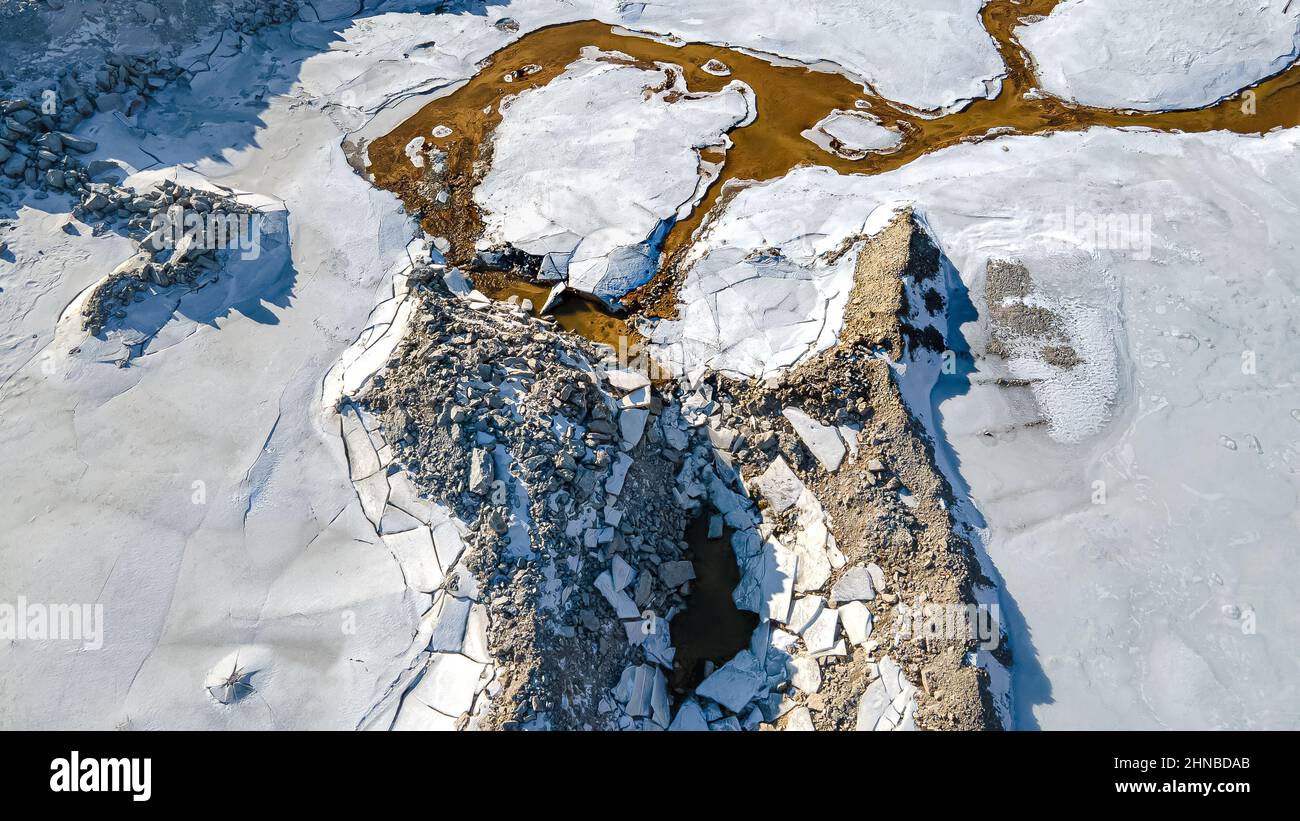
(593, 168)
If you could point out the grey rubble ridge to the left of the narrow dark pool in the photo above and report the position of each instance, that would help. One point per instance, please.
(564, 471)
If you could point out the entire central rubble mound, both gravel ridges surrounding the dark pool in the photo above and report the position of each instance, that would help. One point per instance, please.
(575, 481)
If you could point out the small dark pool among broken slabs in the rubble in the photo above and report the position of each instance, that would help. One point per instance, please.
(712, 628)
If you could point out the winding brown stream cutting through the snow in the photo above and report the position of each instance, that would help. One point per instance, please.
(791, 99)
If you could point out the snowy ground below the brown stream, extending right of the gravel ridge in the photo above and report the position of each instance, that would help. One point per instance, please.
(1159, 476)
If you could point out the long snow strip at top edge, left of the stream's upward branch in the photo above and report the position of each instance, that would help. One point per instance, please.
(873, 42)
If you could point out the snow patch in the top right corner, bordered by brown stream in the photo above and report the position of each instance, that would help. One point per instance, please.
(1154, 55)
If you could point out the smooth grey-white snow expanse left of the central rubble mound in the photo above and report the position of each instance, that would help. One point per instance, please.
(201, 496)
